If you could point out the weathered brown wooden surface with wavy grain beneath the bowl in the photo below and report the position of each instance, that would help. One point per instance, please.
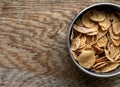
(33, 48)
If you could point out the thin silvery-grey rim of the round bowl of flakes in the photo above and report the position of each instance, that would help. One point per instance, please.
(68, 39)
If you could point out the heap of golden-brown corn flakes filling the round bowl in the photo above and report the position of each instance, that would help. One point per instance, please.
(95, 40)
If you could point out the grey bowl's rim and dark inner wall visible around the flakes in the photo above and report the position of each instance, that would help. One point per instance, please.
(101, 6)
